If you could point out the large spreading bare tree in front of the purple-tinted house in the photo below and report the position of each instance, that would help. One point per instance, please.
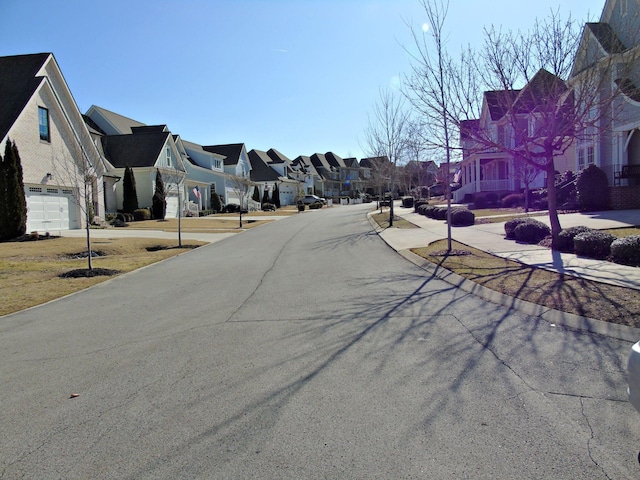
(525, 74)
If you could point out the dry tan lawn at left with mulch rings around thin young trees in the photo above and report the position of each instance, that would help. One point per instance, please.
(29, 271)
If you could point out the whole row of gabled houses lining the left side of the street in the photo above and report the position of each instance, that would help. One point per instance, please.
(73, 161)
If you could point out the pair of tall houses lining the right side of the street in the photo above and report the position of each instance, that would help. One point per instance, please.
(612, 142)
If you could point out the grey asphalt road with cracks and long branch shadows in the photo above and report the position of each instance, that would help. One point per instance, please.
(305, 348)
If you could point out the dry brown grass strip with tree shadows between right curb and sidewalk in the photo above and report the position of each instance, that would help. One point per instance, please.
(560, 292)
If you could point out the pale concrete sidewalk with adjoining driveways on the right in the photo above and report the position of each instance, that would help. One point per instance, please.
(490, 238)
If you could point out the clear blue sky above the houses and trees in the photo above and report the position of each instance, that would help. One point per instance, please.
(296, 75)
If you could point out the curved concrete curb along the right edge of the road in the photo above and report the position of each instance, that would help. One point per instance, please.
(557, 317)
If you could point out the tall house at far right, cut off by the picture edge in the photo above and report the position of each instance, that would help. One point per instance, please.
(612, 46)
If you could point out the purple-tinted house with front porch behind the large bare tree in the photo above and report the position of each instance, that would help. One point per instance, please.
(489, 162)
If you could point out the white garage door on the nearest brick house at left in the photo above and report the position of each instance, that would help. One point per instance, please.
(51, 208)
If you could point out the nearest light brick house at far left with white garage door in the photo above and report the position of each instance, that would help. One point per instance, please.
(64, 174)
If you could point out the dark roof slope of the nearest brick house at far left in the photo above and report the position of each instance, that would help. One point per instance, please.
(18, 83)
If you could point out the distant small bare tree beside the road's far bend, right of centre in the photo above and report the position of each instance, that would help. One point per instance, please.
(385, 135)
